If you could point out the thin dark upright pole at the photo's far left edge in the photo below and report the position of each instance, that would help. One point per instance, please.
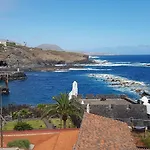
(1, 117)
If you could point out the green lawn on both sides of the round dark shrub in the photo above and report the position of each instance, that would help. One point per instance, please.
(36, 124)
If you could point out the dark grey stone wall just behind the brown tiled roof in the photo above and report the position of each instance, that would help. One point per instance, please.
(135, 111)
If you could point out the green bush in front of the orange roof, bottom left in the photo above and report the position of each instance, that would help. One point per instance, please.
(25, 144)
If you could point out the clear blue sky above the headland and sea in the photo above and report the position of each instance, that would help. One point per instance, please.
(84, 25)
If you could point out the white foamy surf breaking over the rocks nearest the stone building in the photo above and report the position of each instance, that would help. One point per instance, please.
(121, 83)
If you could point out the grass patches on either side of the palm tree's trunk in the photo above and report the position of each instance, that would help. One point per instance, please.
(58, 123)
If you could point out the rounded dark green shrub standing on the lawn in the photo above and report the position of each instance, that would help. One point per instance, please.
(21, 126)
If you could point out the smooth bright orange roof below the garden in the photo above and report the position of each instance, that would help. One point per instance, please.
(46, 139)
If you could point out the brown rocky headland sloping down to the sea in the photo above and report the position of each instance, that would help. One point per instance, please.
(35, 57)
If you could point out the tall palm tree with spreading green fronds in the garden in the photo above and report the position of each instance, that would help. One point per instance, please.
(64, 108)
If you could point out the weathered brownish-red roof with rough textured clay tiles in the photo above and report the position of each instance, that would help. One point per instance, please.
(102, 133)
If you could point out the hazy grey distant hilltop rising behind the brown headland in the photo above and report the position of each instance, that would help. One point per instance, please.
(50, 47)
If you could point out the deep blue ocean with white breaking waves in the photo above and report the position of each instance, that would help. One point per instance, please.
(131, 70)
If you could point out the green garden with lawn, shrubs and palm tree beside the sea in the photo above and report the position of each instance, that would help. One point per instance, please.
(64, 113)
